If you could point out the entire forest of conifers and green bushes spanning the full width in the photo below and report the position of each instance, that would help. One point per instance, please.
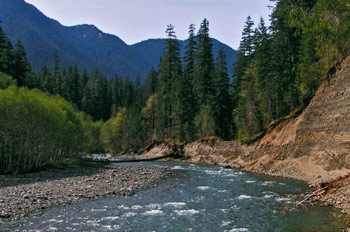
(60, 112)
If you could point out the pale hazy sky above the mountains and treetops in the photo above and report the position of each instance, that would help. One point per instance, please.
(137, 20)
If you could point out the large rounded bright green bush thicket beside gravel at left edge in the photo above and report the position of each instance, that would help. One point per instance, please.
(36, 129)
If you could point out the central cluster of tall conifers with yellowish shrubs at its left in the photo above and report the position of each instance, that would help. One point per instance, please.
(187, 98)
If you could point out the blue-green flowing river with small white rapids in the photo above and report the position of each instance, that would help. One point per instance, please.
(196, 198)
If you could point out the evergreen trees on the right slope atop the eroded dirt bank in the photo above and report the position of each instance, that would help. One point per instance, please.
(280, 67)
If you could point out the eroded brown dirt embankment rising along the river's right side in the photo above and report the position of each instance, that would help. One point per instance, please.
(313, 147)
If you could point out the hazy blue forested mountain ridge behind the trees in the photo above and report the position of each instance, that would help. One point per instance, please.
(83, 45)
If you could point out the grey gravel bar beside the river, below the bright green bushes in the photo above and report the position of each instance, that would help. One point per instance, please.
(28, 194)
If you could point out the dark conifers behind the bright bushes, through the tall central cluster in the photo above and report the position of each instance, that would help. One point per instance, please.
(187, 98)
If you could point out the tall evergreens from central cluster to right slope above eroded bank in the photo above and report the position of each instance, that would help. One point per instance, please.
(278, 70)
